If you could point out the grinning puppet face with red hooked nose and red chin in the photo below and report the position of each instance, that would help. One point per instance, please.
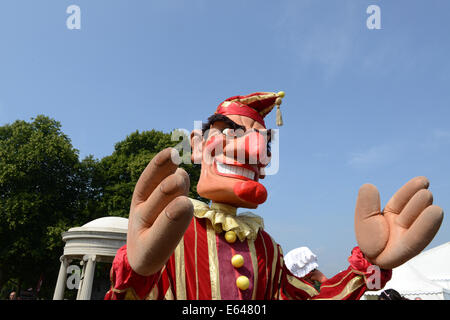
(232, 161)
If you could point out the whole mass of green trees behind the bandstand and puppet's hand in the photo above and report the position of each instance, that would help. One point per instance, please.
(45, 190)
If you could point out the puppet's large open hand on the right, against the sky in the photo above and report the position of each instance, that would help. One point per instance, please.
(402, 230)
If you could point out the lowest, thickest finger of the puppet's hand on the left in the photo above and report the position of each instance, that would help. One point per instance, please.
(156, 244)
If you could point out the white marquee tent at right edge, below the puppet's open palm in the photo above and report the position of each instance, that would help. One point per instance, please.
(426, 276)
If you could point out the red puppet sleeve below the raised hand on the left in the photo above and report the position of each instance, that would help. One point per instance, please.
(127, 284)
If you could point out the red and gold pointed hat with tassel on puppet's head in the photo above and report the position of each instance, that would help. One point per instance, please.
(255, 106)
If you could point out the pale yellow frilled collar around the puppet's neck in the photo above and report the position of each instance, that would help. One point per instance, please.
(223, 217)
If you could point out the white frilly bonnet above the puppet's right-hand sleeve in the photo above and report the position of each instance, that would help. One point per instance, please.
(301, 261)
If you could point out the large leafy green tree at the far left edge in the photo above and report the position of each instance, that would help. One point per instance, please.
(40, 191)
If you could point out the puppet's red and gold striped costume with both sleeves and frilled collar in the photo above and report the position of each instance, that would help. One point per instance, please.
(201, 268)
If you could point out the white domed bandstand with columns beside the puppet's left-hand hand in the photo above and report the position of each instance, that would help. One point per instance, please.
(96, 241)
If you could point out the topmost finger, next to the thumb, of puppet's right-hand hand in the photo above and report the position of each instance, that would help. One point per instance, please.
(405, 193)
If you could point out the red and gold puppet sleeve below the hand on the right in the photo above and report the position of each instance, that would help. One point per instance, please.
(350, 284)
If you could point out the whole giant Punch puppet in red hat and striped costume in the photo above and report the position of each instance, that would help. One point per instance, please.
(179, 248)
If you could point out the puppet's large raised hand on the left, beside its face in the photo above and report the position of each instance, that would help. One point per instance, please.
(160, 213)
